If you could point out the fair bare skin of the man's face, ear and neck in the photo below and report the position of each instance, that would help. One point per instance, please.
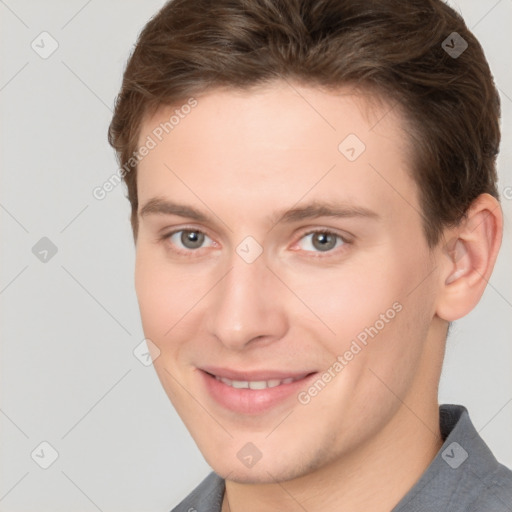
(240, 157)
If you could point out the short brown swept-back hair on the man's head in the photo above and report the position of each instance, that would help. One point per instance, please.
(392, 47)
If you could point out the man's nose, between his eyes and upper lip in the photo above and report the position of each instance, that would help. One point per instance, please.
(247, 306)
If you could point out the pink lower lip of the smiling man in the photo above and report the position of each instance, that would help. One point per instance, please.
(252, 401)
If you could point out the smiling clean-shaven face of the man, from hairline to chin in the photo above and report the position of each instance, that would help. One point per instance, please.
(348, 311)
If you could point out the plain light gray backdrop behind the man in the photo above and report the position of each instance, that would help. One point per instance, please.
(69, 326)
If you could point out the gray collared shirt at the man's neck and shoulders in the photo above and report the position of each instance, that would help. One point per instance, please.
(463, 477)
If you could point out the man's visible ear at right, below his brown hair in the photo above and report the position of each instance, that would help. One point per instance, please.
(467, 256)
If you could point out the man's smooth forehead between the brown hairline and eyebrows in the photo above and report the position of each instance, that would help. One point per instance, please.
(275, 144)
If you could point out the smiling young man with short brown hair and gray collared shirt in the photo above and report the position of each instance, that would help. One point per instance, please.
(313, 194)
